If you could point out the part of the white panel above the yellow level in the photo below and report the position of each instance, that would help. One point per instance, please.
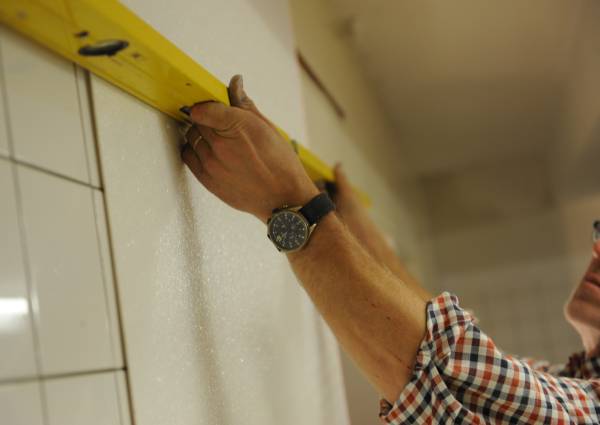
(248, 37)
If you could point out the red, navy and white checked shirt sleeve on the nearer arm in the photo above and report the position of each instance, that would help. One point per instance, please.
(461, 377)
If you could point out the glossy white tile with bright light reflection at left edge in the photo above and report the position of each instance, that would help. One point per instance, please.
(16, 340)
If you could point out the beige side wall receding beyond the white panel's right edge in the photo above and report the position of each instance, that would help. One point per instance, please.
(362, 142)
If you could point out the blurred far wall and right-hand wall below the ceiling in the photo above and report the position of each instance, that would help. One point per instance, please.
(517, 267)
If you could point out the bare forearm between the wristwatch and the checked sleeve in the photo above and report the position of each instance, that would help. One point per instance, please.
(378, 319)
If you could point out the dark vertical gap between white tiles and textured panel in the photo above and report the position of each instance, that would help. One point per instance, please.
(109, 233)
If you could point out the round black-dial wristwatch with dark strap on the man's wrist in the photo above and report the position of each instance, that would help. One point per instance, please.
(289, 228)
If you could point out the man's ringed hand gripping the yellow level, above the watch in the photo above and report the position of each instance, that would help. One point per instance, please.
(239, 156)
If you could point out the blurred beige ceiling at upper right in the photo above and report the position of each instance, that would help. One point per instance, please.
(465, 82)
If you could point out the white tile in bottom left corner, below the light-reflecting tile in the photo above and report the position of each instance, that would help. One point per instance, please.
(20, 404)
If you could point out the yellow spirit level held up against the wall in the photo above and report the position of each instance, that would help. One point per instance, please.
(148, 66)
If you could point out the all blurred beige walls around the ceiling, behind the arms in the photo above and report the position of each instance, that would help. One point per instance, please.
(515, 259)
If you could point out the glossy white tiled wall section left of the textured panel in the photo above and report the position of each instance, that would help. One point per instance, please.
(58, 312)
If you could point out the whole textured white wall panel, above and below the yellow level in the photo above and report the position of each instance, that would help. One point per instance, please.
(216, 327)
